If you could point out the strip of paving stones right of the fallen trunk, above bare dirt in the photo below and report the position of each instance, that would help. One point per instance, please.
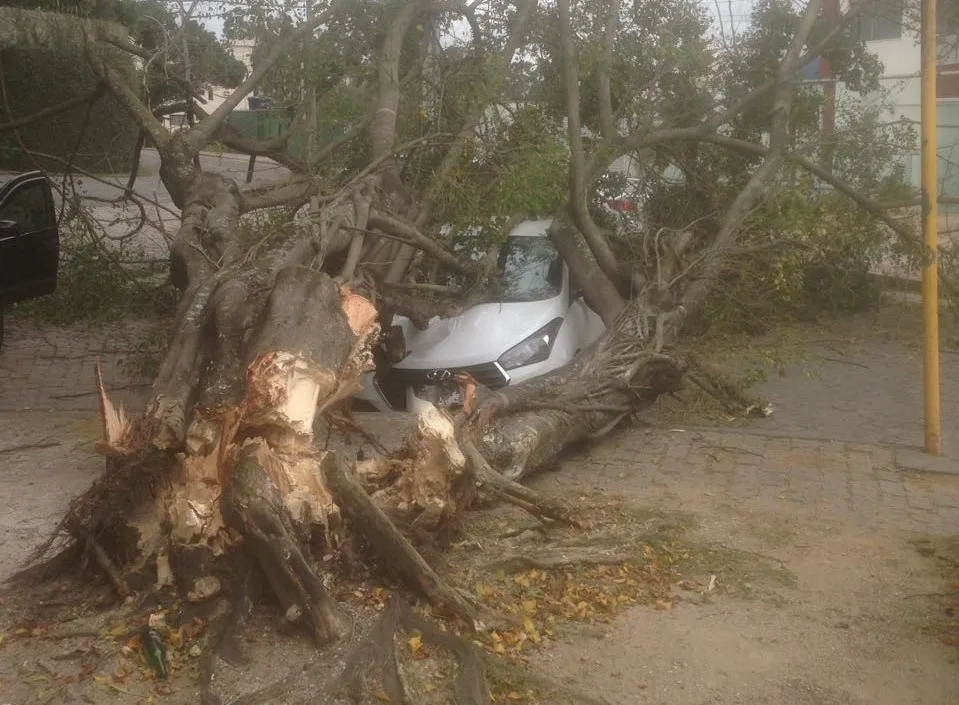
(853, 482)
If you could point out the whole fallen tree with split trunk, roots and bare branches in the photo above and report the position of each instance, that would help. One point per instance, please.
(275, 329)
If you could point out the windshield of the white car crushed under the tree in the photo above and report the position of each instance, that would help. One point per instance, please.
(531, 270)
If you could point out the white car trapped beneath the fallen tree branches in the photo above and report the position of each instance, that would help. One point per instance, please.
(537, 324)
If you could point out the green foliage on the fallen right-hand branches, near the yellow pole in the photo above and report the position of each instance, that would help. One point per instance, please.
(805, 251)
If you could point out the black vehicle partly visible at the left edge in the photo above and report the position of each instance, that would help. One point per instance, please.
(29, 240)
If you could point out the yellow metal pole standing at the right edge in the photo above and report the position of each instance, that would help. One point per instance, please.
(930, 225)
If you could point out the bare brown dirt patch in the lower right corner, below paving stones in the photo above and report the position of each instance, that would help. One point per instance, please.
(832, 608)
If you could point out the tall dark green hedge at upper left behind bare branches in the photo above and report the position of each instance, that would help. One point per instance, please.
(101, 139)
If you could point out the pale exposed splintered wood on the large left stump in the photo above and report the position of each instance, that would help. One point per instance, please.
(282, 393)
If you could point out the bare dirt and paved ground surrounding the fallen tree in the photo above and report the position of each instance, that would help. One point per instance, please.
(793, 562)
